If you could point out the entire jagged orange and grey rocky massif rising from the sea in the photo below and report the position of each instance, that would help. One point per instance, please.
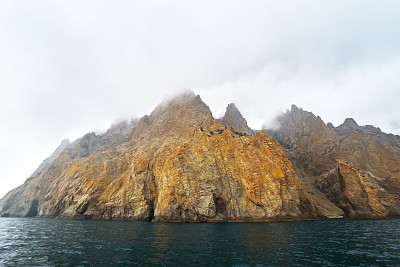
(179, 164)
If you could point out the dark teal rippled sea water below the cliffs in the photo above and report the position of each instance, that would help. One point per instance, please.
(47, 242)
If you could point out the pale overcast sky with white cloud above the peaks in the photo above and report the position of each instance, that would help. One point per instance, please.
(70, 67)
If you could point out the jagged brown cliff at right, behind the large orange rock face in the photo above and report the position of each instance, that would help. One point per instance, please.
(355, 167)
